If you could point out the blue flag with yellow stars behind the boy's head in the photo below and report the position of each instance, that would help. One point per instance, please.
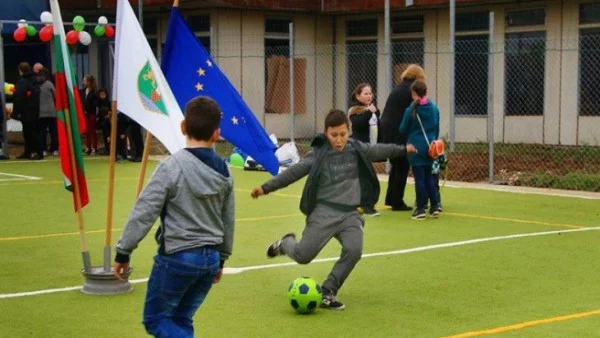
(190, 71)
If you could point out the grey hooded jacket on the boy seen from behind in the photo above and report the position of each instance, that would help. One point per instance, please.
(195, 204)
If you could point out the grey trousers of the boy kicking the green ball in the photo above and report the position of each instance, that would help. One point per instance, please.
(323, 224)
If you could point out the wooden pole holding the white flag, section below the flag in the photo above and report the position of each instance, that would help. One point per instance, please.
(111, 186)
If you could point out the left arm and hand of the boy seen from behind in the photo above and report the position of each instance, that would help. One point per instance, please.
(146, 210)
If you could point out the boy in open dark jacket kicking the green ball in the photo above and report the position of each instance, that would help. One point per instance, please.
(340, 179)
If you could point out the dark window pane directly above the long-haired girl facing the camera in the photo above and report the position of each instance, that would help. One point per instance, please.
(361, 64)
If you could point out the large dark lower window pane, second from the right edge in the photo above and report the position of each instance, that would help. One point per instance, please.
(525, 63)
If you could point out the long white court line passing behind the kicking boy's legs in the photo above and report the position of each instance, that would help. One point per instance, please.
(231, 271)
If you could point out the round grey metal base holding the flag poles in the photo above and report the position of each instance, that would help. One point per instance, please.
(101, 282)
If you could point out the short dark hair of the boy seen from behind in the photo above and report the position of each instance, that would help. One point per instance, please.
(202, 118)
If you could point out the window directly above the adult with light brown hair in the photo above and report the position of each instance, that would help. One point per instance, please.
(407, 44)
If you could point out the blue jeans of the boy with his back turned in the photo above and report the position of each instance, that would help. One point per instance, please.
(177, 286)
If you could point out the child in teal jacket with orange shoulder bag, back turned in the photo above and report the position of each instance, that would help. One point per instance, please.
(421, 125)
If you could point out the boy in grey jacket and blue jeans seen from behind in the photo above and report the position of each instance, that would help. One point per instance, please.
(192, 193)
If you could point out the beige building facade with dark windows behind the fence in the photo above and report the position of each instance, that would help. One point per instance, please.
(545, 84)
